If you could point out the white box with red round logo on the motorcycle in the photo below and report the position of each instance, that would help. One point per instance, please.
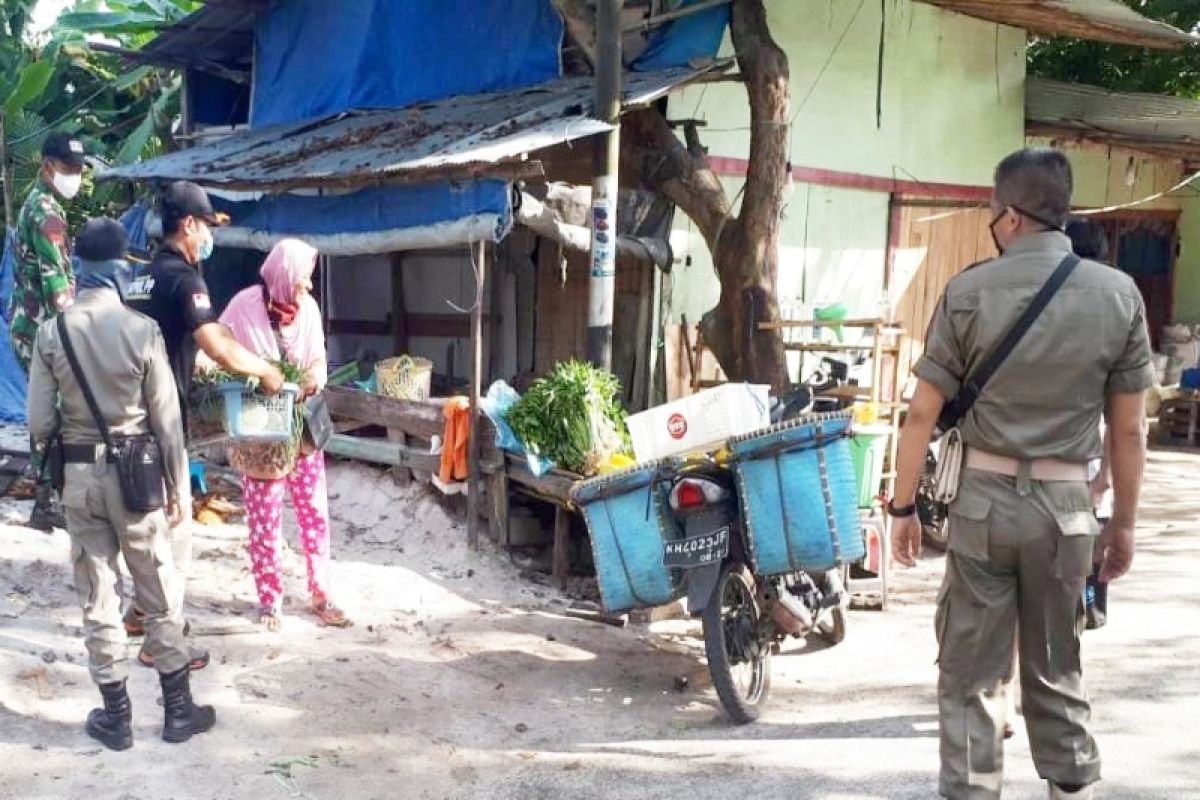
(701, 422)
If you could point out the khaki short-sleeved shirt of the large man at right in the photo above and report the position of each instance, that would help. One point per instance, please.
(1048, 398)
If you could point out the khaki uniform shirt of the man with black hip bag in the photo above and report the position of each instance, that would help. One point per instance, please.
(124, 359)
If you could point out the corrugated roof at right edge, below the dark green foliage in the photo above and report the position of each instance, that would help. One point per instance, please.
(1155, 123)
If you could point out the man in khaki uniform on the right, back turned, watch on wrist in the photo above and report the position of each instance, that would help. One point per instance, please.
(1022, 527)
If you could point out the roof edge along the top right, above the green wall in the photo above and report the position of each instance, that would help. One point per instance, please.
(1103, 21)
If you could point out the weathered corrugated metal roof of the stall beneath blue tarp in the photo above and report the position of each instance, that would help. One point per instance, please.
(454, 137)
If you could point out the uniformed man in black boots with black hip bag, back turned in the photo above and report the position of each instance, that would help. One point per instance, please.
(122, 357)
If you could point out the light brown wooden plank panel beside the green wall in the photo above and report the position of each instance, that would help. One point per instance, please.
(950, 239)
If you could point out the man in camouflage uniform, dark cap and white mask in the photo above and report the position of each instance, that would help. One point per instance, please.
(44, 286)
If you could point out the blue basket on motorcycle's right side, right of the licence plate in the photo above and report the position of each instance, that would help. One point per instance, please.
(800, 496)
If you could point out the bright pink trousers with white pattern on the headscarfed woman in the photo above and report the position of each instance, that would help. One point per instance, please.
(265, 514)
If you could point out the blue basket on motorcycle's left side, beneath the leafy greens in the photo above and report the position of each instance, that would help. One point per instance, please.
(628, 524)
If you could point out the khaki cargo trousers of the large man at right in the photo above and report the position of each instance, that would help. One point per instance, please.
(1019, 555)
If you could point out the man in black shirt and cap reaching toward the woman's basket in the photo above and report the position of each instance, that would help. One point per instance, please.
(176, 296)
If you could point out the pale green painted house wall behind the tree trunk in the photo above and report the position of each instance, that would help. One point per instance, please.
(952, 107)
